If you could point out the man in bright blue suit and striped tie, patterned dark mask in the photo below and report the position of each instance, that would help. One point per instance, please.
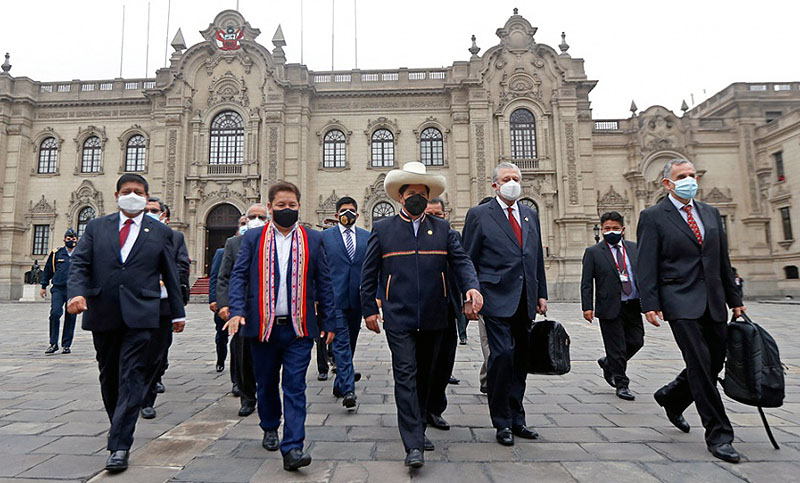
(345, 246)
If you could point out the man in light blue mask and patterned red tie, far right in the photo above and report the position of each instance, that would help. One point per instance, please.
(685, 277)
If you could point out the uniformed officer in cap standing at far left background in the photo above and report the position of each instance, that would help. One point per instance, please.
(56, 270)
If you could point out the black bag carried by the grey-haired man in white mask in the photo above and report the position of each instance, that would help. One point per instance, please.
(548, 348)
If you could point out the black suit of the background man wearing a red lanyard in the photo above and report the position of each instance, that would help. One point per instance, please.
(620, 322)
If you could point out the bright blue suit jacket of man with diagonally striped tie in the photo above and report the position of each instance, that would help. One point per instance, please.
(346, 275)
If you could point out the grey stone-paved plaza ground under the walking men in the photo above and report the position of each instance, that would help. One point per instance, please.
(52, 425)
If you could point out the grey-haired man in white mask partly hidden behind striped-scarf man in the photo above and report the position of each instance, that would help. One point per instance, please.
(244, 386)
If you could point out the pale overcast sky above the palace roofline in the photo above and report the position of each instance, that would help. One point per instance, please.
(651, 52)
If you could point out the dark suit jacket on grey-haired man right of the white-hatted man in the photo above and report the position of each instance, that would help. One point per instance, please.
(501, 263)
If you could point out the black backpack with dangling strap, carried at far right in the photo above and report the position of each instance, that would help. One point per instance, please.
(753, 369)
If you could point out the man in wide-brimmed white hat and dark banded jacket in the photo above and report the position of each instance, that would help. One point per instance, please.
(406, 265)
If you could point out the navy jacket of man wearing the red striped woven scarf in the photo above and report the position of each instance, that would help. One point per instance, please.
(243, 293)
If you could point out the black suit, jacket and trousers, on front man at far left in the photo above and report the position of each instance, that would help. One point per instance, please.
(123, 310)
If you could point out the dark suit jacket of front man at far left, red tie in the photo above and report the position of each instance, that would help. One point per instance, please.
(124, 294)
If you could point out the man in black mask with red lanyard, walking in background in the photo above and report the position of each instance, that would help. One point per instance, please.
(611, 267)
